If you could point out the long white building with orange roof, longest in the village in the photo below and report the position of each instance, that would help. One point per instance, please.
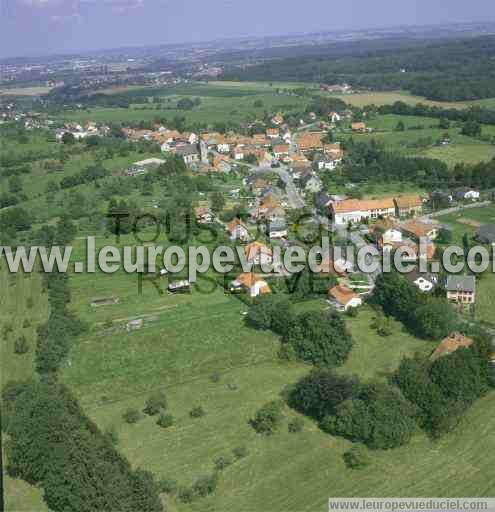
(354, 210)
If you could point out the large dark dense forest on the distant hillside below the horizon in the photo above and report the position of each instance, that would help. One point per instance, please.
(443, 71)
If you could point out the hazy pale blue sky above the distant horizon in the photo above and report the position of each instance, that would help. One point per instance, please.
(37, 27)
